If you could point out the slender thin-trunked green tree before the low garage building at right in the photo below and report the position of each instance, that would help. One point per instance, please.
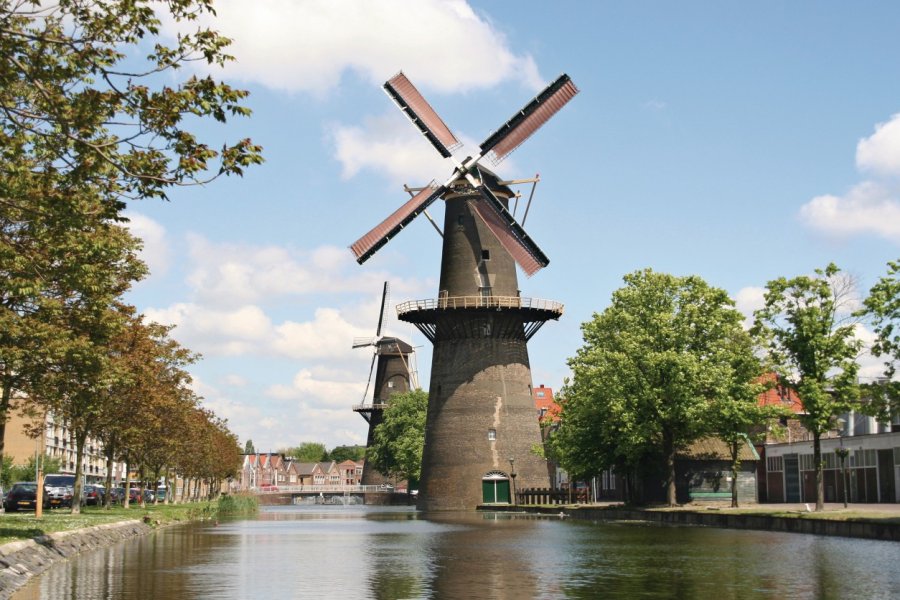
(807, 328)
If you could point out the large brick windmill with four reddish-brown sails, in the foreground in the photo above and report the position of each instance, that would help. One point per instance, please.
(481, 422)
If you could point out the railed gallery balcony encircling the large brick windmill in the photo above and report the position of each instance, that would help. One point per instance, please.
(500, 316)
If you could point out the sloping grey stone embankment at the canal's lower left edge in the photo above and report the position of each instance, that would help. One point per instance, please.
(20, 561)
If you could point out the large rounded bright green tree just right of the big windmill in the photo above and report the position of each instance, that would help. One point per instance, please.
(654, 369)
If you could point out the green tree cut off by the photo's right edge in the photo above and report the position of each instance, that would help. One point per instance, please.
(882, 306)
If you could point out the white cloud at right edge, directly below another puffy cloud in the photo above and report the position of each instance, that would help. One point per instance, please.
(867, 208)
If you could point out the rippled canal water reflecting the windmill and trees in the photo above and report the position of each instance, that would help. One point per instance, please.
(387, 553)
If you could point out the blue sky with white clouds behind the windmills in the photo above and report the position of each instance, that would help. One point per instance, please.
(736, 141)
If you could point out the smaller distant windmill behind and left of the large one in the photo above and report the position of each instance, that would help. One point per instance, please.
(393, 375)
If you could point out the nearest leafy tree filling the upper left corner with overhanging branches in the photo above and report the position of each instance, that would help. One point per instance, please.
(92, 113)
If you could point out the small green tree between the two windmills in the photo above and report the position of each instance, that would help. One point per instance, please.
(399, 439)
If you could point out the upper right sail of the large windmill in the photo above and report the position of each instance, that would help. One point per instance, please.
(528, 120)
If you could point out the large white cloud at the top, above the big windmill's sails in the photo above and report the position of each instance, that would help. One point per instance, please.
(308, 45)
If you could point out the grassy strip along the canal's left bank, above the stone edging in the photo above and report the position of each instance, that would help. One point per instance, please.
(23, 525)
